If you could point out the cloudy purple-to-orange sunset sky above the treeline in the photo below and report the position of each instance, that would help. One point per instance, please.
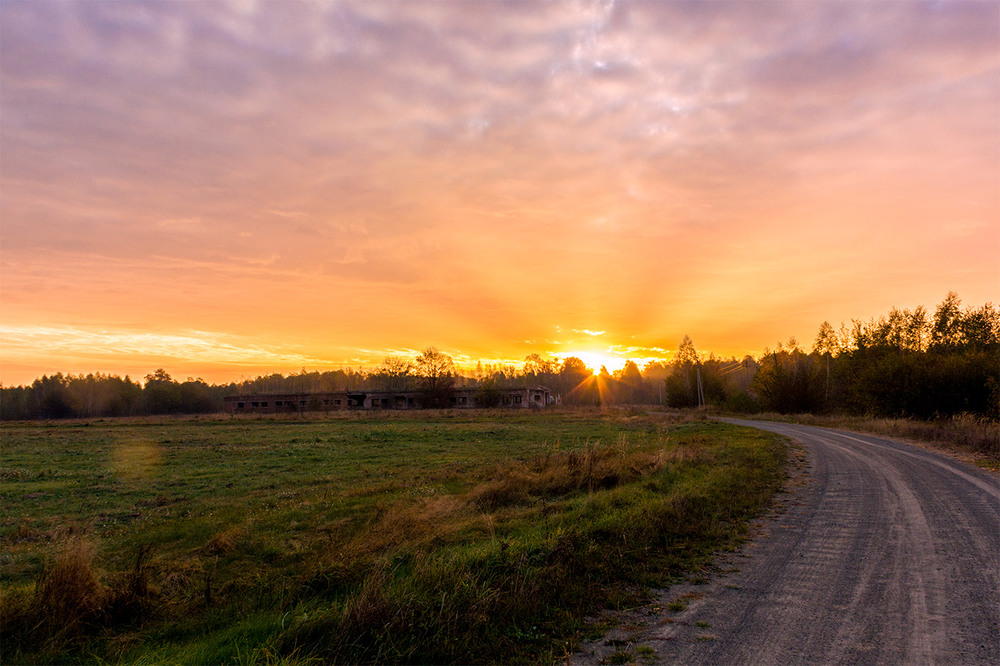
(225, 189)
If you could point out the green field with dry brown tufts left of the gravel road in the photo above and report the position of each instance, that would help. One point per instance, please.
(441, 537)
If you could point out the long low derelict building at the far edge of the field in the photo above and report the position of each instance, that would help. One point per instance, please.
(462, 398)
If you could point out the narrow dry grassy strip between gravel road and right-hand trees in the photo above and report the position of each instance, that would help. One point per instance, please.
(966, 434)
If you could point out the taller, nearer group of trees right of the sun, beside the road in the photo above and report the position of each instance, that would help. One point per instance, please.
(907, 363)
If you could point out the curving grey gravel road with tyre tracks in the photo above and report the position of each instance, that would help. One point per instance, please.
(879, 553)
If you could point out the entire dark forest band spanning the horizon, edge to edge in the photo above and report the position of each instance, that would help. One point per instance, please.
(905, 363)
